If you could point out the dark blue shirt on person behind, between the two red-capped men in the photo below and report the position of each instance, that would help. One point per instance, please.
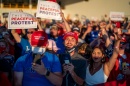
(59, 43)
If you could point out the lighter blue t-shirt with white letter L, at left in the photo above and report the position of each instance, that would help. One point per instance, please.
(25, 46)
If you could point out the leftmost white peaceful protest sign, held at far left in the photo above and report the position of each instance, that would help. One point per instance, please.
(21, 20)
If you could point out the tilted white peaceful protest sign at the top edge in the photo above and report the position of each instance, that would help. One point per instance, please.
(48, 10)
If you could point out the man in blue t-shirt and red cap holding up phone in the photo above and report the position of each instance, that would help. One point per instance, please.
(38, 68)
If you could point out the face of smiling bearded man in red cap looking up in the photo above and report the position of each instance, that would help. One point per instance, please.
(70, 42)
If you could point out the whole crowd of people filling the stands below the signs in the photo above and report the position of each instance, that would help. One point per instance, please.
(65, 53)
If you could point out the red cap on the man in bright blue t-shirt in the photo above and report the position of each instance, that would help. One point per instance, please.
(39, 38)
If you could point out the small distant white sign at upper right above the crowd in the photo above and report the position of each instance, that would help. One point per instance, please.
(117, 16)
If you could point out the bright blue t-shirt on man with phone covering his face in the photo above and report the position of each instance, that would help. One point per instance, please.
(31, 77)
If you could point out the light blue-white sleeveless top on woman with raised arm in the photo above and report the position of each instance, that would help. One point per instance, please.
(97, 78)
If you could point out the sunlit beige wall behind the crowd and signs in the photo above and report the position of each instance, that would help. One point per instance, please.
(89, 8)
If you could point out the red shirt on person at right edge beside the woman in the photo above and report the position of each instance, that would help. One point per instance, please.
(116, 73)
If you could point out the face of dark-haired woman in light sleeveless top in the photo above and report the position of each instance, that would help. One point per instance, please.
(97, 55)
